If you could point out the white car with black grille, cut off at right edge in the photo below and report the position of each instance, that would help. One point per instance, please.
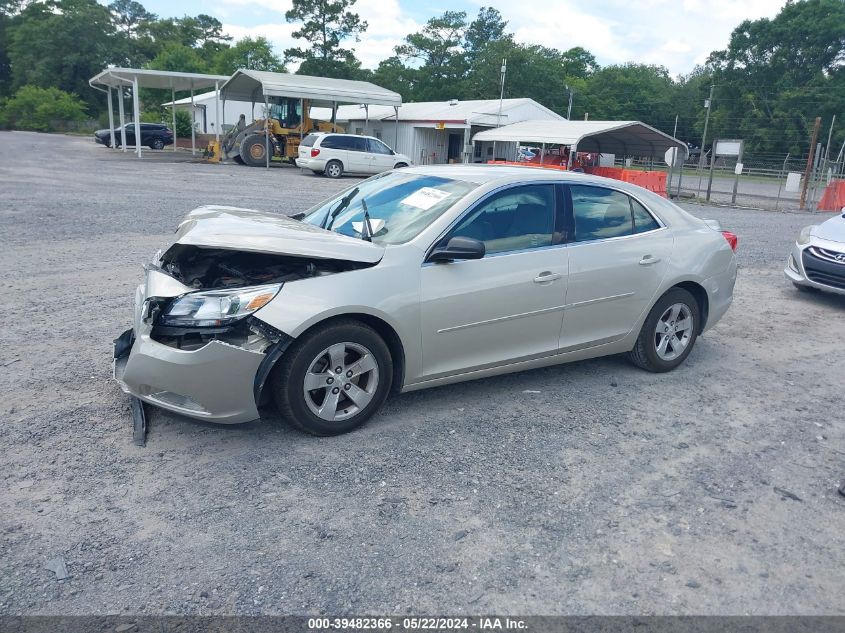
(817, 261)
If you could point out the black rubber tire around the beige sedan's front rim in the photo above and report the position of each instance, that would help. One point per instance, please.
(289, 376)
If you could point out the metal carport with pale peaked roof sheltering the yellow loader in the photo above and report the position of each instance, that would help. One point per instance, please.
(258, 85)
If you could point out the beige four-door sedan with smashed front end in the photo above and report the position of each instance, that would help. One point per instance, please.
(414, 279)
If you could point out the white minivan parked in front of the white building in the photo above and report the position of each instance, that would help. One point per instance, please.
(333, 154)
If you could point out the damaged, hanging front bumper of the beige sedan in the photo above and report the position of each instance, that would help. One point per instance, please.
(215, 381)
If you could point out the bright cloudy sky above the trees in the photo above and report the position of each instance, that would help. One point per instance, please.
(675, 33)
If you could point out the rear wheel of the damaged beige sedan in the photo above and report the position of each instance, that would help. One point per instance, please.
(669, 332)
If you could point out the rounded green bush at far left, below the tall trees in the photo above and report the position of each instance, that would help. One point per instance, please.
(41, 109)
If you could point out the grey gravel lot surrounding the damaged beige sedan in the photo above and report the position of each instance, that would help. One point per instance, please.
(587, 488)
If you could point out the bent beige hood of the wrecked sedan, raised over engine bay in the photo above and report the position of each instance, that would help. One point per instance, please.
(232, 228)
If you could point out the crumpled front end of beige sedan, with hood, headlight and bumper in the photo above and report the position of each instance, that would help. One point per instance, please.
(196, 346)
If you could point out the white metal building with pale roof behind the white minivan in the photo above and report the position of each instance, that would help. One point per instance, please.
(440, 131)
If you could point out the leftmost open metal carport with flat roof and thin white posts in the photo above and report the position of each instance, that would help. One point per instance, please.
(118, 78)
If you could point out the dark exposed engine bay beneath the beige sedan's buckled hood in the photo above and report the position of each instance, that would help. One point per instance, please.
(212, 268)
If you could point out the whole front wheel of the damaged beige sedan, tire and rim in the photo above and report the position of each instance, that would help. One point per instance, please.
(334, 378)
